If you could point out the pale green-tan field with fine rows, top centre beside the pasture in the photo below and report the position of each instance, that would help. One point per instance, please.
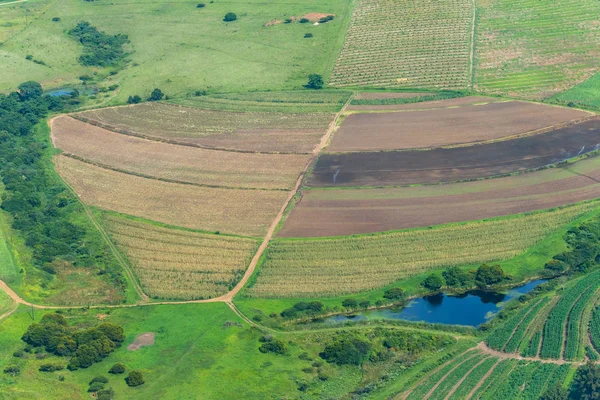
(406, 43)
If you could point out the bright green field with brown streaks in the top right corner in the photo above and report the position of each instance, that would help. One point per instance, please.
(535, 48)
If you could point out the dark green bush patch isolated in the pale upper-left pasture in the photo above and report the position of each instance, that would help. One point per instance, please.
(100, 49)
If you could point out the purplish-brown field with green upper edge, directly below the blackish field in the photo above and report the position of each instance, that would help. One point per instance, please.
(351, 211)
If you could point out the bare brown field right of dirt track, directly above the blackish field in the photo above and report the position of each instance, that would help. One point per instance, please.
(447, 126)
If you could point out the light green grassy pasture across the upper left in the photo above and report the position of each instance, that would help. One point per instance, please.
(180, 48)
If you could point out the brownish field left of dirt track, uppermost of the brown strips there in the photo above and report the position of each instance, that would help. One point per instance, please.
(250, 131)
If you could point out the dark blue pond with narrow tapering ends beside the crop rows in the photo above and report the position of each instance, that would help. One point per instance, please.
(472, 308)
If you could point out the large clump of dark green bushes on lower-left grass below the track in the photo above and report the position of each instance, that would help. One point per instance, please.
(85, 347)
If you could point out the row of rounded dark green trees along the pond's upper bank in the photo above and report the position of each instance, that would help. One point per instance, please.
(483, 277)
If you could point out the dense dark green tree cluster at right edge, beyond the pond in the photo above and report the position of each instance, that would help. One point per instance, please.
(583, 253)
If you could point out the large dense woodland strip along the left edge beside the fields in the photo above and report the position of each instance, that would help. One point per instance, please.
(41, 206)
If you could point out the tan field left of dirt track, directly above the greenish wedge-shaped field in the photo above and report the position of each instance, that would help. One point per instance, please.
(238, 211)
